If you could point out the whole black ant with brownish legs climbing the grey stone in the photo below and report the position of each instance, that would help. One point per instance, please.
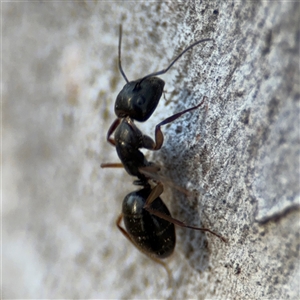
(148, 222)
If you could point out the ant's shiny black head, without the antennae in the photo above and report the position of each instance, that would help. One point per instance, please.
(138, 99)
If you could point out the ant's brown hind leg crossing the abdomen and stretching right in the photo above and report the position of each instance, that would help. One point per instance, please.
(156, 192)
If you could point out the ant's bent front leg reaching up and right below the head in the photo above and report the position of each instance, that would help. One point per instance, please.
(148, 143)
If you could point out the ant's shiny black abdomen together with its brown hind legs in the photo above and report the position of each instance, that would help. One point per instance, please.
(149, 224)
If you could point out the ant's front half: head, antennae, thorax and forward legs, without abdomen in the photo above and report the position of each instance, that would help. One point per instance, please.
(137, 101)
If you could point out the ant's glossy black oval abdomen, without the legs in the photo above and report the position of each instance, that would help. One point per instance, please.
(151, 234)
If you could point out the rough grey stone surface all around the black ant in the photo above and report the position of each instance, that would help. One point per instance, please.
(239, 154)
